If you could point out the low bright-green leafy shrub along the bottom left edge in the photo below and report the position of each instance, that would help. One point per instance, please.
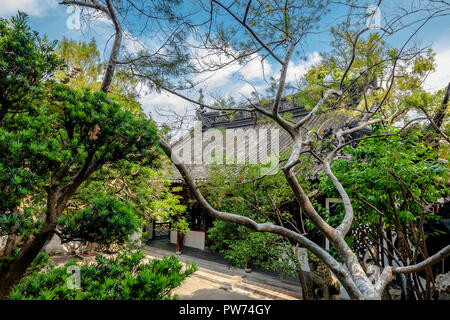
(125, 277)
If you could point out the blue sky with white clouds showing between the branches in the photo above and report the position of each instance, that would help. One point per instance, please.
(47, 17)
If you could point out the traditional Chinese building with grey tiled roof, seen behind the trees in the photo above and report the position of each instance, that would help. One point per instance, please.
(248, 139)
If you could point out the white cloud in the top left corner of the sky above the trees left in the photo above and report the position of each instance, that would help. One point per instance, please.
(31, 7)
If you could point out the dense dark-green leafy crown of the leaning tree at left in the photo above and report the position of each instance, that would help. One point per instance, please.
(70, 133)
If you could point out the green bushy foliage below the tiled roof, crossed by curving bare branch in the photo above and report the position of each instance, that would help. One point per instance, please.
(266, 198)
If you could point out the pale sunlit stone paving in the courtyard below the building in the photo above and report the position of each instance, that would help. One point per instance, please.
(215, 280)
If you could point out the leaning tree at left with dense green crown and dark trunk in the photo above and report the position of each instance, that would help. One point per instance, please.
(51, 150)
